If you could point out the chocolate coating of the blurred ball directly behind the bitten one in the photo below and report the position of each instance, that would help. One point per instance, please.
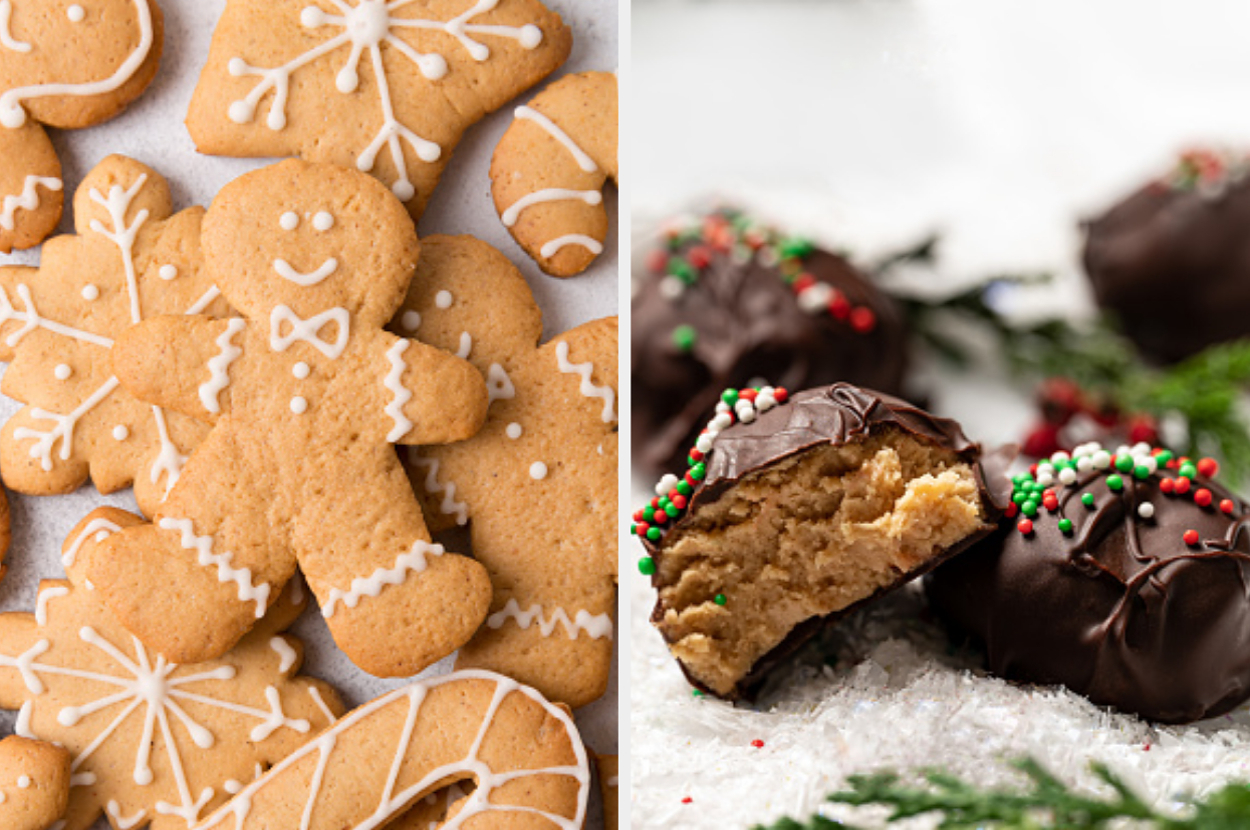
(748, 324)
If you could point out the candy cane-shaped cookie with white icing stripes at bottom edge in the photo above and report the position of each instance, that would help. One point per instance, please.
(524, 754)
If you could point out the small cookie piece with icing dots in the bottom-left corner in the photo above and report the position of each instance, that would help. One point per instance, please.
(34, 784)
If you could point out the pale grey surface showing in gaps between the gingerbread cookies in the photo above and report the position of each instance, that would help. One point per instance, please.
(152, 132)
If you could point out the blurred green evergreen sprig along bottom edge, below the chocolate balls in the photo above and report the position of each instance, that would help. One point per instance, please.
(1047, 803)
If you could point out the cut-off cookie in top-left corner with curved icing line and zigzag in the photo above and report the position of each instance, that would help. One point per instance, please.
(67, 66)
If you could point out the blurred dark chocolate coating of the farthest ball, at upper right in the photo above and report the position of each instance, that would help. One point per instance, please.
(1173, 264)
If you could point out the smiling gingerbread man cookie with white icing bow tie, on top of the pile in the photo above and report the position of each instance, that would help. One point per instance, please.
(307, 394)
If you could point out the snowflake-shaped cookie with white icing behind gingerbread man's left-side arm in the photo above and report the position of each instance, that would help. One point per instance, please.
(131, 259)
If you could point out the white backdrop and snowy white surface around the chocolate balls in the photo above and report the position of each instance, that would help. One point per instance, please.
(869, 123)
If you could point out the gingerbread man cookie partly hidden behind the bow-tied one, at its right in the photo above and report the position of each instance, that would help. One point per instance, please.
(538, 486)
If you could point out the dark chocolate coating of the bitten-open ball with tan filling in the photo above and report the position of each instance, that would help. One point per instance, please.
(838, 414)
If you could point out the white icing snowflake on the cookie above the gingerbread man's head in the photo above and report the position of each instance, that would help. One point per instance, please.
(368, 27)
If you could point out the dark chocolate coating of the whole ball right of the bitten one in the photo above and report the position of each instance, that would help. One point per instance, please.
(1122, 611)
